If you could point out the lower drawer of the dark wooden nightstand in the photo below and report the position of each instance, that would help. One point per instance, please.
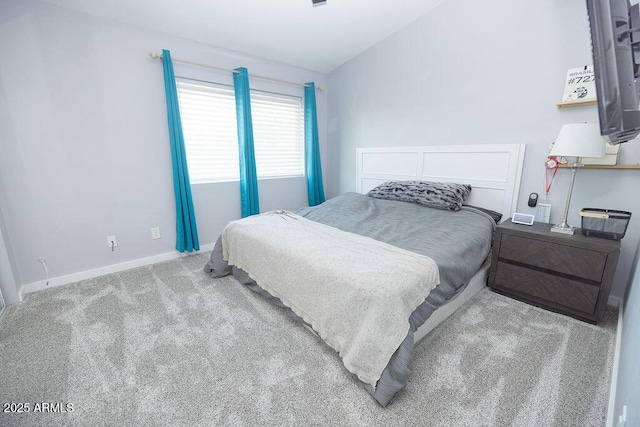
(547, 287)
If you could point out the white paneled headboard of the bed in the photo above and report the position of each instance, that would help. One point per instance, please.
(492, 170)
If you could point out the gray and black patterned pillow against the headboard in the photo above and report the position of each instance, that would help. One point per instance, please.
(439, 195)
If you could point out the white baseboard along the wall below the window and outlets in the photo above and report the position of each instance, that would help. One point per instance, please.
(114, 268)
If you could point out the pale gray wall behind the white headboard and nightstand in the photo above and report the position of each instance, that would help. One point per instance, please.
(480, 72)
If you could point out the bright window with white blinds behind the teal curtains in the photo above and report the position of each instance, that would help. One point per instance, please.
(208, 113)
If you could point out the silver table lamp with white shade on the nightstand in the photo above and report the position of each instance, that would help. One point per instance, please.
(576, 140)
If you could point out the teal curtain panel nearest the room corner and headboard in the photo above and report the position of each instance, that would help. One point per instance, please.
(315, 188)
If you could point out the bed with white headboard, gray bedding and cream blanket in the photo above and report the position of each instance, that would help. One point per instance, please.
(373, 274)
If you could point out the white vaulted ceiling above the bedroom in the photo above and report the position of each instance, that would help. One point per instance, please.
(319, 38)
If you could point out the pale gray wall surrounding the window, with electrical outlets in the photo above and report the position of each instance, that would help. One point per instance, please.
(84, 149)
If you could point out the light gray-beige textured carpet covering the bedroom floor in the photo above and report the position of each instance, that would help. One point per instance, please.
(168, 345)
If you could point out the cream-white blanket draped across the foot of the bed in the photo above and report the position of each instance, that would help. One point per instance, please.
(357, 293)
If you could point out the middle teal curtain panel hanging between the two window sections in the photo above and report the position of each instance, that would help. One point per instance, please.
(249, 199)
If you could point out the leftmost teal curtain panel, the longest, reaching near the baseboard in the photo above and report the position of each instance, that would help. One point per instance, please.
(186, 229)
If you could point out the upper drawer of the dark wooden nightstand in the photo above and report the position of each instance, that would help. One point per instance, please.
(570, 260)
